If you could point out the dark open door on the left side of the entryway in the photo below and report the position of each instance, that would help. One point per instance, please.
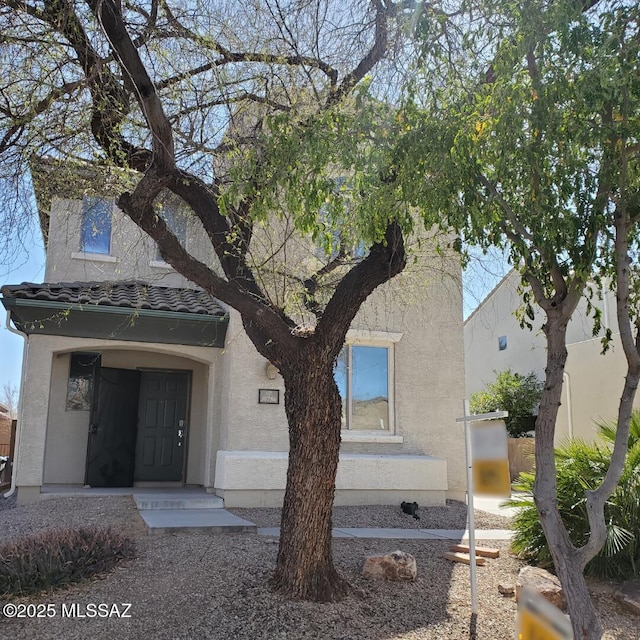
(112, 429)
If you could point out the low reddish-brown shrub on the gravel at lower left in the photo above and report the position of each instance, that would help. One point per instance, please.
(56, 558)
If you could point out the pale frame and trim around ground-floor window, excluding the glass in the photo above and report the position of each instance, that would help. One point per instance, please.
(369, 338)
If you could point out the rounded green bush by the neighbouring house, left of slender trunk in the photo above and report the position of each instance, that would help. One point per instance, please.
(513, 392)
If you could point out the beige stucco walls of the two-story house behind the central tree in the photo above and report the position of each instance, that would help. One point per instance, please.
(423, 306)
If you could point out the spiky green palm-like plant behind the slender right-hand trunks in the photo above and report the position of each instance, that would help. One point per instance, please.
(581, 466)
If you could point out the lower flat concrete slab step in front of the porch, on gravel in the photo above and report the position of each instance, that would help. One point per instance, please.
(194, 521)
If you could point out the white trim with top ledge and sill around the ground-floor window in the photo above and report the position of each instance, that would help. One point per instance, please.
(373, 338)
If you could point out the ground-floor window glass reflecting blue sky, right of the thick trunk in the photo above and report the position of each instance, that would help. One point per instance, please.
(363, 375)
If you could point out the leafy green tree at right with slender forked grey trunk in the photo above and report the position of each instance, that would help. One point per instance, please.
(533, 144)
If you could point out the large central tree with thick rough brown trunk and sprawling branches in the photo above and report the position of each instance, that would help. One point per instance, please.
(245, 111)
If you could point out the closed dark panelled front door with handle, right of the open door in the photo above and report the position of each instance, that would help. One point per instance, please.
(162, 424)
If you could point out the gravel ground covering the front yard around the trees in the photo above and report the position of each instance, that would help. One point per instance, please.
(215, 586)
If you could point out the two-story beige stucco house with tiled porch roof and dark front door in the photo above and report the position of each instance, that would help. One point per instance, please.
(133, 377)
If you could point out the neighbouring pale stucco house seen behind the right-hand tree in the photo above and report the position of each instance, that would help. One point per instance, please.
(593, 382)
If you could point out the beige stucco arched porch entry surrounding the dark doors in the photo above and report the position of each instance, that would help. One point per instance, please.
(57, 454)
